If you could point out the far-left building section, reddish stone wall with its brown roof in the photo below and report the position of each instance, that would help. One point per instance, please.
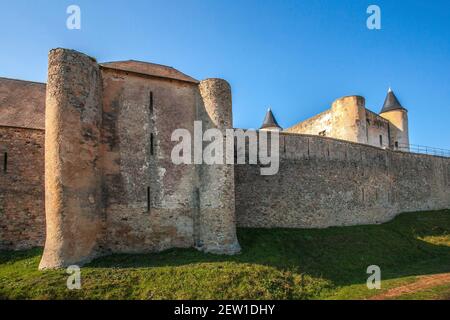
(22, 218)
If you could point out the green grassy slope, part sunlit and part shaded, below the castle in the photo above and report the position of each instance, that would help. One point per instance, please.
(275, 264)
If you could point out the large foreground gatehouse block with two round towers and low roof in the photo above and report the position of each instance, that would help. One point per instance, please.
(110, 184)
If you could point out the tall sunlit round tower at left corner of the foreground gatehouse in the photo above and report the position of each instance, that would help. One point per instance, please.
(73, 118)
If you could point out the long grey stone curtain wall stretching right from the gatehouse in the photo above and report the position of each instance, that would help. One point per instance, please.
(325, 182)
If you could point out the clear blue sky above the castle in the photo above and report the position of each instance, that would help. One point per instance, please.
(296, 56)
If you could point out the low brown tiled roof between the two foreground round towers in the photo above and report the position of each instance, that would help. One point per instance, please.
(150, 69)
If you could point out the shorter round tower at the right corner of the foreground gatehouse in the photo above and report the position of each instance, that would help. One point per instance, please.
(216, 186)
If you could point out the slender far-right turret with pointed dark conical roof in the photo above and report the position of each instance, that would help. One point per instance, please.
(397, 116)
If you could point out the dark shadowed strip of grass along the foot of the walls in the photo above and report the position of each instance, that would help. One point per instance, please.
(339, 254)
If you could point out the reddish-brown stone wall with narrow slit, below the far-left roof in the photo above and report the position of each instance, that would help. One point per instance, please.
(22, 218)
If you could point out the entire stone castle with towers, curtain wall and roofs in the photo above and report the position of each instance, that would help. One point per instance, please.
(107, 184)
